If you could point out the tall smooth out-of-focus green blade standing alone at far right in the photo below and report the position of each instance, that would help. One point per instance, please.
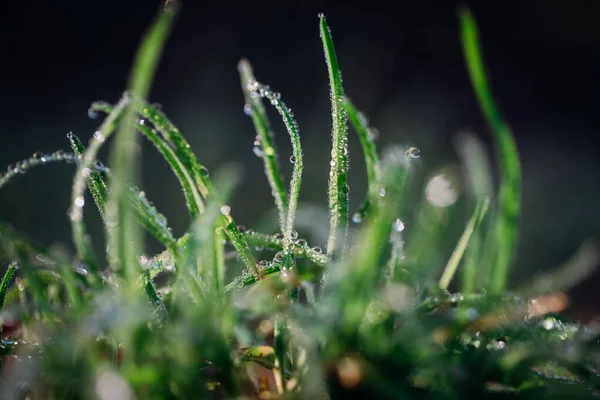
(507, 218)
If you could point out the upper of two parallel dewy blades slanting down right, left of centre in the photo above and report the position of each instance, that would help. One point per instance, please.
(201, 176)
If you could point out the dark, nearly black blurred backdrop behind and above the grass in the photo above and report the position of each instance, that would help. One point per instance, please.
(402, 66)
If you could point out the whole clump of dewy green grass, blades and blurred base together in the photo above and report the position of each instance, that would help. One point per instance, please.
(367, 317)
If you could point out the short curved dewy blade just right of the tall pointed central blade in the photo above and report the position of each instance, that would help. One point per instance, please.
(369, 152)
